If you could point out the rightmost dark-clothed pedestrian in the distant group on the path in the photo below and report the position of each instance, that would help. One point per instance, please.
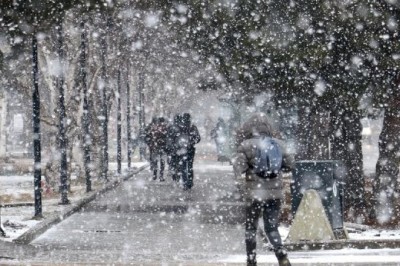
(186, 137)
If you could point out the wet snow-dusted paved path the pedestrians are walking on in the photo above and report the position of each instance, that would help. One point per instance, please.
(146, 222)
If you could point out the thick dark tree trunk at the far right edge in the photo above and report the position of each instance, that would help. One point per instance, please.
(385, 187)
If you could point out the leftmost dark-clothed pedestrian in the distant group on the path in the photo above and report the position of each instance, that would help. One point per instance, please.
(156, 139)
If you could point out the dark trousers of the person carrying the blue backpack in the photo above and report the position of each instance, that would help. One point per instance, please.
(270, 210)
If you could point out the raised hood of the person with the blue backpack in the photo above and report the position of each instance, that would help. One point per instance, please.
(257, 125)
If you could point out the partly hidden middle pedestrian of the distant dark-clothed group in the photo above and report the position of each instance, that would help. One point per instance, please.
(172, 136)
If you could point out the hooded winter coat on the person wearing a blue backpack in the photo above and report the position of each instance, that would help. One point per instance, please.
(256, 187)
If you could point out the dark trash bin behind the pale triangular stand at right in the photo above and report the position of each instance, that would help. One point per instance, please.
(326, 177)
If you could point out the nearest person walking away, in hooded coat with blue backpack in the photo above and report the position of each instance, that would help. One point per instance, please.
(262, 157)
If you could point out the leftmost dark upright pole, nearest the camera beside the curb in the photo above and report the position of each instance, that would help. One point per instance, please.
(36, 131)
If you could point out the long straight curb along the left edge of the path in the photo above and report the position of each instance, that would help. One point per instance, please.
(42, 227)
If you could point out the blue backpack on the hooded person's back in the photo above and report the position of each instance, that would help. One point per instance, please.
(268, 160)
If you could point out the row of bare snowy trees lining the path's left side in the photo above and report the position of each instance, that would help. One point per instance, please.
(82, 67)
